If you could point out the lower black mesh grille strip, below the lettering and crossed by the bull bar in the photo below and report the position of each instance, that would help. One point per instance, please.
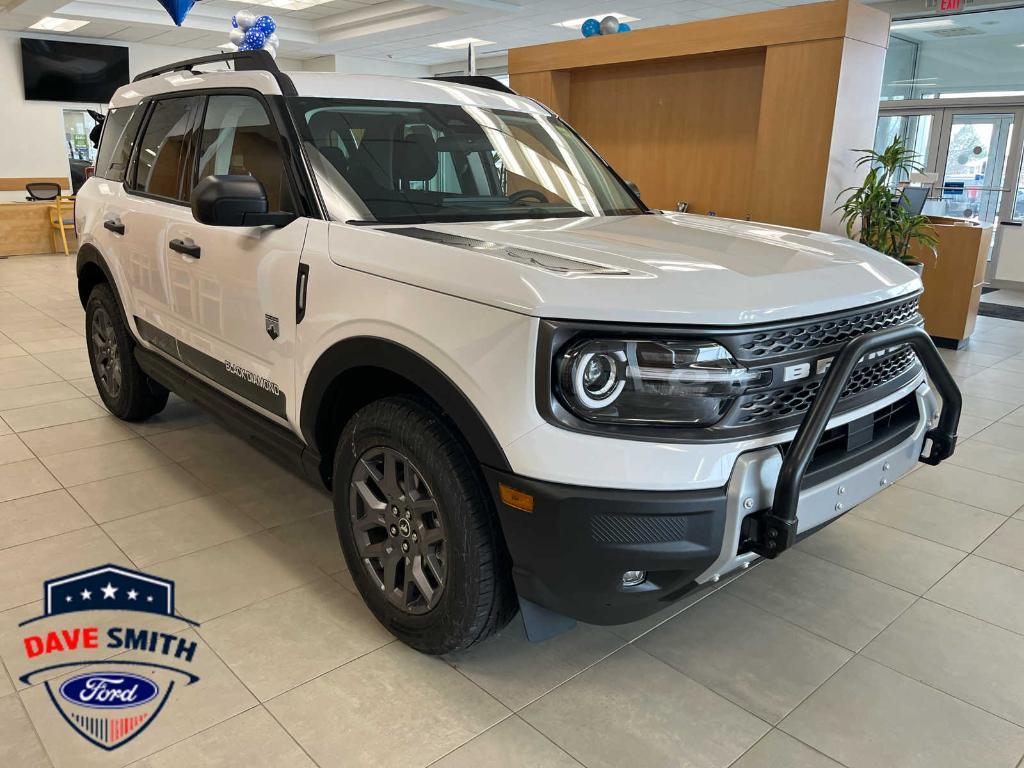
(795, 400)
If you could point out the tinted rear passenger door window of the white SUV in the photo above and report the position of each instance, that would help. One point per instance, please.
(163, 165)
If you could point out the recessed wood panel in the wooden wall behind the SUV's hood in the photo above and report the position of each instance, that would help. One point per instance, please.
(681, 130)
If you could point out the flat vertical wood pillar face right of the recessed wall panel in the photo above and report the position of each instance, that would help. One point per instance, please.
(795, 133)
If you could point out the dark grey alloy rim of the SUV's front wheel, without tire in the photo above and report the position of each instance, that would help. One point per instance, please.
(399, 530)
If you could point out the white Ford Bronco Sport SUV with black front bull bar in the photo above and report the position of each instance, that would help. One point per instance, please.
(524, 388)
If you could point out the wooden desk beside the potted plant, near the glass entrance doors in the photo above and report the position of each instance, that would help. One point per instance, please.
(954, 281)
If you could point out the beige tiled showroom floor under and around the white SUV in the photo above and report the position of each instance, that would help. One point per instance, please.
(893, 638)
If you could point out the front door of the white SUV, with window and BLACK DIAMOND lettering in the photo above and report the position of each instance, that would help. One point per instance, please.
(233, 297)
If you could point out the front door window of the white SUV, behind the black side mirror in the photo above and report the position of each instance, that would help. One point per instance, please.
(239, 140)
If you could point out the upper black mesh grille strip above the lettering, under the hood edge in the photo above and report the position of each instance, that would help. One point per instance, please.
(828, 332)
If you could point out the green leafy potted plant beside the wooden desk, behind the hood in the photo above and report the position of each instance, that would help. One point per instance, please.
(873, 214)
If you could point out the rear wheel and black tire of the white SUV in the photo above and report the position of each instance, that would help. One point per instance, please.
(125, 390)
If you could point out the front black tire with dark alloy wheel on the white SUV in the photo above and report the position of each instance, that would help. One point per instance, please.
(477, 596)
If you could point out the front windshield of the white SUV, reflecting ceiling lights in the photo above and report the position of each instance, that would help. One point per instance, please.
(412, 163)
